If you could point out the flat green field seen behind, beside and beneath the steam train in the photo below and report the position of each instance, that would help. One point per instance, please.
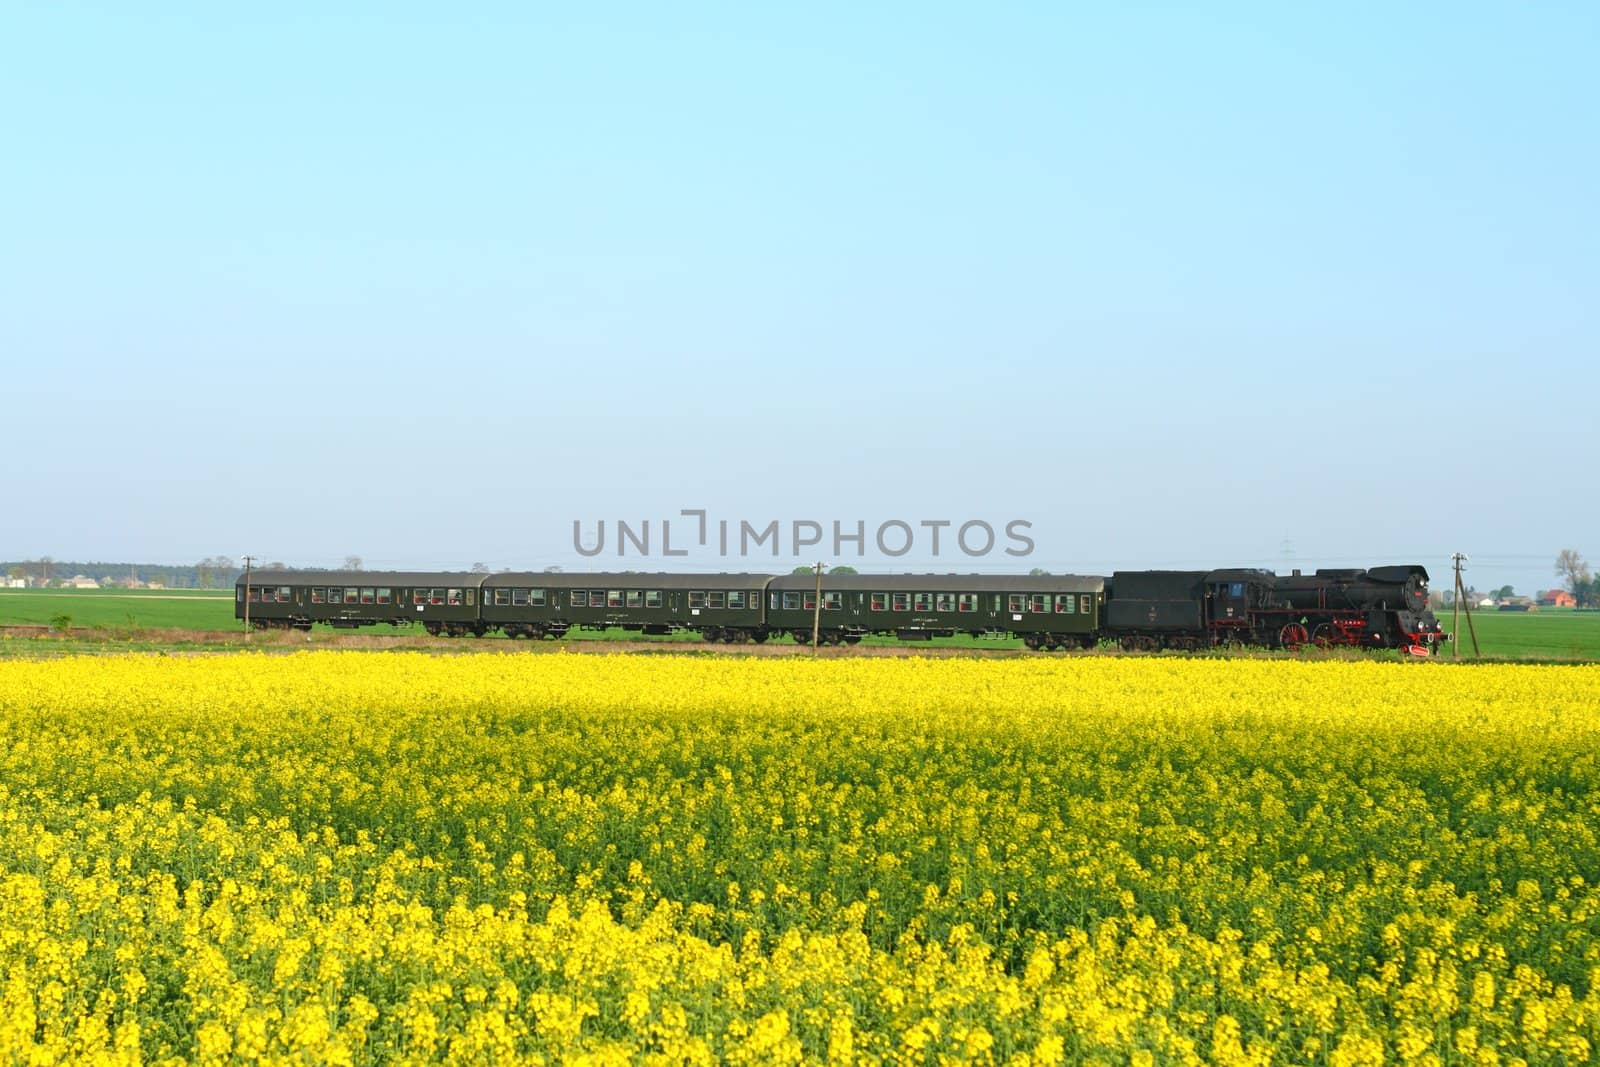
(127, 615)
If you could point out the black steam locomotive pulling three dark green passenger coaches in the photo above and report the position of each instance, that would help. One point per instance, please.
(1382, 607)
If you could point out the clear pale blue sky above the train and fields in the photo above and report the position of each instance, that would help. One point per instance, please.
(1282, 286)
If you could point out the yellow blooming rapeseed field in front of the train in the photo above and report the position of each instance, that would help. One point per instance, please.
(662, 860)
